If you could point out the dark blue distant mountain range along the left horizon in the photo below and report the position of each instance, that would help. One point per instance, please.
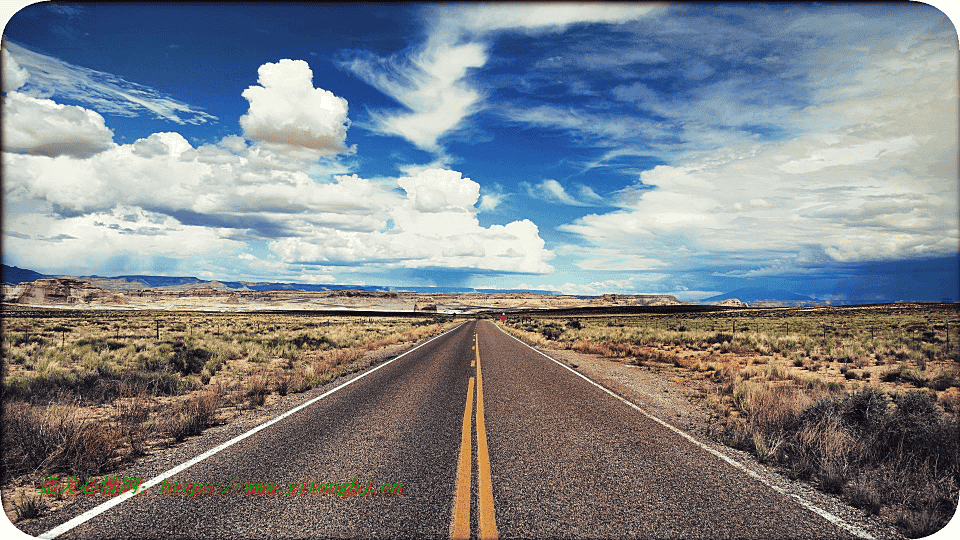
(14, 275)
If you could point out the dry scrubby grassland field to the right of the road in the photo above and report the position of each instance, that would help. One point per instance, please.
(862, 402)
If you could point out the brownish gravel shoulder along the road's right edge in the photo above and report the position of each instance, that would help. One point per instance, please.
(675, 401)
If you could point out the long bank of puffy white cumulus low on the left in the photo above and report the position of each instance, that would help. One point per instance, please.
(229, 193)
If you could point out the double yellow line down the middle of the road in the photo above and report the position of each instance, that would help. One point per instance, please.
(460, 523)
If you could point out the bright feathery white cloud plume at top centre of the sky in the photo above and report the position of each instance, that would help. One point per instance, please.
(432, 81)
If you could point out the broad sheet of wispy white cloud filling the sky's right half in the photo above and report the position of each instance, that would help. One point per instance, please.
(765, 145)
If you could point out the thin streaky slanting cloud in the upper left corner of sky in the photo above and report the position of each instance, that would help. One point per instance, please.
(103, 92)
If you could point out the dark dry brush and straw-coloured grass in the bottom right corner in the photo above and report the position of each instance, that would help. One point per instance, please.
(897, 453)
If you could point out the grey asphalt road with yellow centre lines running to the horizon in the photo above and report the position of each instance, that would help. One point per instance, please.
(560, 458)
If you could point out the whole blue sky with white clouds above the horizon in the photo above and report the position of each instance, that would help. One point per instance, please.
(684, 149)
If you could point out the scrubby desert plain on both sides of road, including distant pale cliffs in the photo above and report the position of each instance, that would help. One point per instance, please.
(859, 402)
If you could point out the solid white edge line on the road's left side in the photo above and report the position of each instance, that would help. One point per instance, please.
(96, 511)
